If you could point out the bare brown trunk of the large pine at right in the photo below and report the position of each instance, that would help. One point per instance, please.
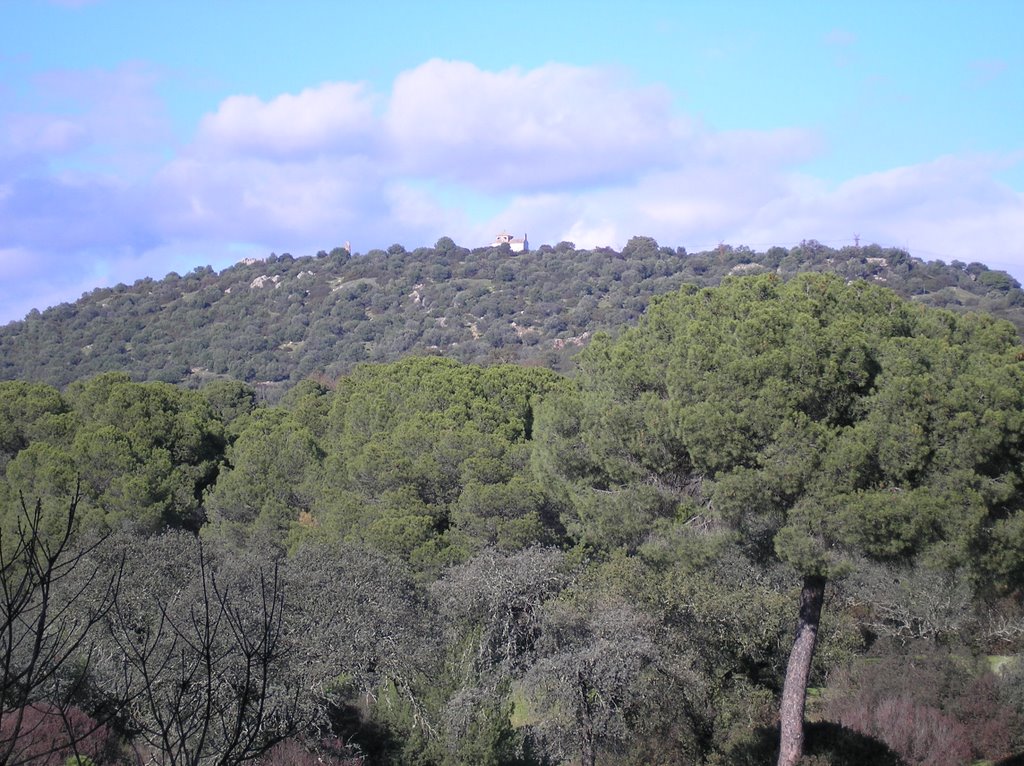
(799, 670)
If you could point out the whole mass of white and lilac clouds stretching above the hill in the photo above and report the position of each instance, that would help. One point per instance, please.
(94, 191)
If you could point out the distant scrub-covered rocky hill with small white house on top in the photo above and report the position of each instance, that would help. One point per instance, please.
(283, 319)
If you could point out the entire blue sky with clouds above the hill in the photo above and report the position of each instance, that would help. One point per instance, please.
(144, 138)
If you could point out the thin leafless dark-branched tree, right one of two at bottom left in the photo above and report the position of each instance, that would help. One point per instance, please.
(203, 659)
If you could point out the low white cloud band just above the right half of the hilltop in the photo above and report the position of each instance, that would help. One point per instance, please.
(952, 208)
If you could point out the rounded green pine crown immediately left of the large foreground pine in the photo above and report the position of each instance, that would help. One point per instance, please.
(407, 441)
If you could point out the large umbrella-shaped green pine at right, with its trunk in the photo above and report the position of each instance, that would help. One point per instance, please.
(815, 418)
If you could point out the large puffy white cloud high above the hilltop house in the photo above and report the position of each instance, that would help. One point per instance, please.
(549, 127)
